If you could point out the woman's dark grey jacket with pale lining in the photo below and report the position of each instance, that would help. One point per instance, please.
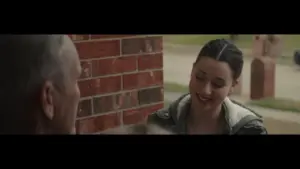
(240, 120)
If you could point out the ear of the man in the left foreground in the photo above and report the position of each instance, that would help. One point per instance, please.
(47, 95)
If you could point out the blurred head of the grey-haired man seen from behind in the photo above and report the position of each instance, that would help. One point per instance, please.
(39, 92)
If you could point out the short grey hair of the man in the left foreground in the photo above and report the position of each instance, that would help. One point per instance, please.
(32, 59)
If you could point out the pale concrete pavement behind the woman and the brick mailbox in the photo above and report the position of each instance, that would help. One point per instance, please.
(178, 63)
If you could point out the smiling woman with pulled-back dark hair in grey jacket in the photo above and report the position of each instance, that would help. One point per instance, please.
(206, 109)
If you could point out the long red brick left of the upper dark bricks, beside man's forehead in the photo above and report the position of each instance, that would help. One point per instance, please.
(98, 49)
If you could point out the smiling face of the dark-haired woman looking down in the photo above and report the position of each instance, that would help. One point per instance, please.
(211, 81)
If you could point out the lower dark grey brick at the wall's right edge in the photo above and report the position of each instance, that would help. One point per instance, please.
(152, 95)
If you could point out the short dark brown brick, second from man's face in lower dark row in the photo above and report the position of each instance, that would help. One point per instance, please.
(103, 104)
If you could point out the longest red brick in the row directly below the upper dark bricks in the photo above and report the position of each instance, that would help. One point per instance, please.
(114, 65)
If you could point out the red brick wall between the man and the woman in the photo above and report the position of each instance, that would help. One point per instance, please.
(121, 82)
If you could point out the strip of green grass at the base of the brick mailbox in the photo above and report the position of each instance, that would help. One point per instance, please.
(277, 103)
